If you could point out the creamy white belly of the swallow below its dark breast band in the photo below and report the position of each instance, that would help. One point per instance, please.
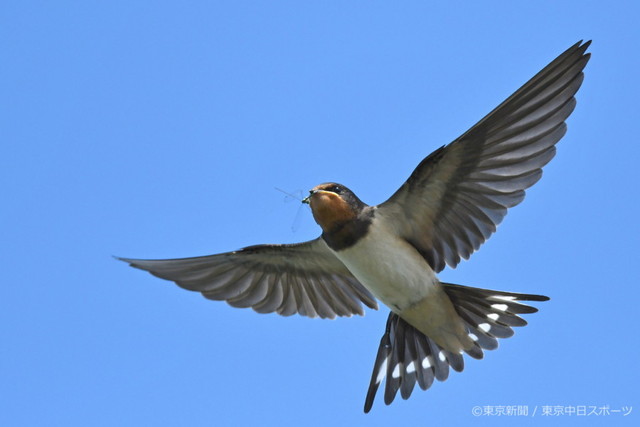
(389, 267)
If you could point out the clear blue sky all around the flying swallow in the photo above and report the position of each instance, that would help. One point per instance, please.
(160, 129)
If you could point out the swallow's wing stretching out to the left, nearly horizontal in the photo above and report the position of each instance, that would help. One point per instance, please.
(304, 278)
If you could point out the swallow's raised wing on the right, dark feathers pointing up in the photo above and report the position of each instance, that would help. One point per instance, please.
(456, 197)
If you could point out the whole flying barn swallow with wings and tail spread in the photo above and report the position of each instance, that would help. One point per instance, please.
(391, 252)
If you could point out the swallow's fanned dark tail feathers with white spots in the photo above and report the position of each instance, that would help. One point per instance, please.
(406, 356)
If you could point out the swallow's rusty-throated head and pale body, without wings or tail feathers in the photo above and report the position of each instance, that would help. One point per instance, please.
(390, 268)
